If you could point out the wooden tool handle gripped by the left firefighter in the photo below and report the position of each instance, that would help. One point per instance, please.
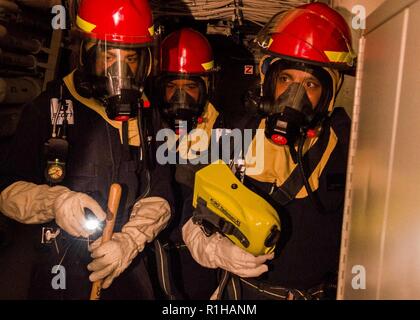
(111, 214)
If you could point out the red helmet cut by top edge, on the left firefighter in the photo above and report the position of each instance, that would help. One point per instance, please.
(118, 21)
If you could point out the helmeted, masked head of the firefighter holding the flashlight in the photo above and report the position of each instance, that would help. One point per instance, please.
(115, 53)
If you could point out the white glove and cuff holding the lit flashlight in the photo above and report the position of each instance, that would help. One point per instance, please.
(30, 204)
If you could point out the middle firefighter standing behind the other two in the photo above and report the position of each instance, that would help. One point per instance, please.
(185, 90)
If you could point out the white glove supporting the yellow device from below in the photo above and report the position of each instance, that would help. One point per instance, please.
(218, 251)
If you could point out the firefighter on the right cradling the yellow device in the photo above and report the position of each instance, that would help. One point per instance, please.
(307, 50)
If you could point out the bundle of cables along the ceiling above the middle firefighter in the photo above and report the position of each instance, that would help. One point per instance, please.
(256, 11)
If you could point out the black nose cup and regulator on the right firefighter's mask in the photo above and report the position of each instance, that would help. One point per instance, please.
(290, 116)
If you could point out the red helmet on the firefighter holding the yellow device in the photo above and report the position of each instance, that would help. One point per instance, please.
(312, 33)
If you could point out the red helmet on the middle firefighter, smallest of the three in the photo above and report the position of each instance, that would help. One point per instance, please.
(186, 51)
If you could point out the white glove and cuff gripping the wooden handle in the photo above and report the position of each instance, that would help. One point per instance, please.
(148, 218)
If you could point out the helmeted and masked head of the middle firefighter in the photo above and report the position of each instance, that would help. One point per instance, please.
(187, 80)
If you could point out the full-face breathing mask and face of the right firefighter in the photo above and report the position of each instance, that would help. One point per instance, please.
(292, 116)
